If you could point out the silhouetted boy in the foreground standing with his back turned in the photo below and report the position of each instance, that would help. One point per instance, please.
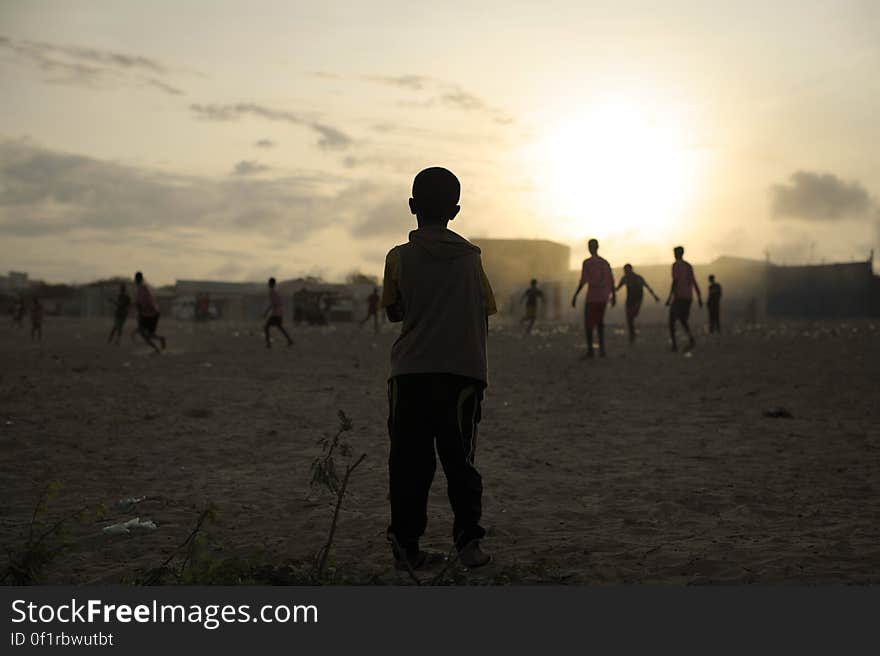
(435, 285)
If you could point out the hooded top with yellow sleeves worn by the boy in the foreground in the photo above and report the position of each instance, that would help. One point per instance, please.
(437, 281)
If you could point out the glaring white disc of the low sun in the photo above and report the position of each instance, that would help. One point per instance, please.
(613, 170)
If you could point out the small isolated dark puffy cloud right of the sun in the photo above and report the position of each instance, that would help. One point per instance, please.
(820, 197)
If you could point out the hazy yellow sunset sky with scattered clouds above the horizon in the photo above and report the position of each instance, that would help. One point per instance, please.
(234, 140)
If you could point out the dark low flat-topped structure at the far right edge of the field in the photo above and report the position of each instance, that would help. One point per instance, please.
(826, 291)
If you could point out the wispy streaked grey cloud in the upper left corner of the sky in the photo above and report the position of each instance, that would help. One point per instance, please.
(89, 67)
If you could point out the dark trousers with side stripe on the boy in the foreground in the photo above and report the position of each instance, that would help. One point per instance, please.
(424, 410)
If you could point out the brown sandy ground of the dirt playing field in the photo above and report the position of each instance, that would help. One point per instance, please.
(643, 467)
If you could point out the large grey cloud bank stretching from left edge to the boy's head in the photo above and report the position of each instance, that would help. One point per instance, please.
(49, 193)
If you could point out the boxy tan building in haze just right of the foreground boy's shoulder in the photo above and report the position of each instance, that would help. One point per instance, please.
(510, 264)
